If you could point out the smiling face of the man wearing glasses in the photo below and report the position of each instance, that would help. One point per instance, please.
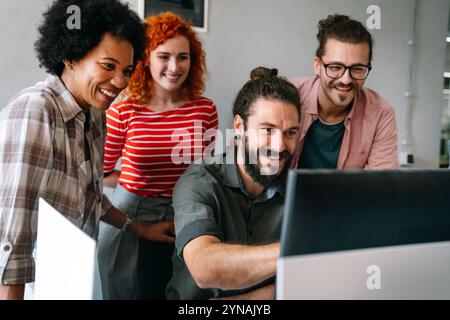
(339, 93)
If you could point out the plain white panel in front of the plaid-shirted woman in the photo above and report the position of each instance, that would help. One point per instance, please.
(65, 258)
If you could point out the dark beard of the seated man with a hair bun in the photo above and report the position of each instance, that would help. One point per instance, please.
(254, 171)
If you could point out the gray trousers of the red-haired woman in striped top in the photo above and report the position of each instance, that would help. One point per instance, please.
(124, 258)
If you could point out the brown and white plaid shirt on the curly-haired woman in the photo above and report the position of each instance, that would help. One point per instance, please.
(42, 154)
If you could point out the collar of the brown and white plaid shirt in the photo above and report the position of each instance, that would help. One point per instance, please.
(67, 105)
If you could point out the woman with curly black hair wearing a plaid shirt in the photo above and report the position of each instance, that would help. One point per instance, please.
(52, 134)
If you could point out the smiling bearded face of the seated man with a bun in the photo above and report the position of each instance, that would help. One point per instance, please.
(271, 135)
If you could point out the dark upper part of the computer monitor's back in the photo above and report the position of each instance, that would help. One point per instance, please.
(329, 210)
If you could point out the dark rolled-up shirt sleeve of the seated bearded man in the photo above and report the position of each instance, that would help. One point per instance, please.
(194, 214)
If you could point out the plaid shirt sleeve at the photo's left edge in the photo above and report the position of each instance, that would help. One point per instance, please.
(25, 155)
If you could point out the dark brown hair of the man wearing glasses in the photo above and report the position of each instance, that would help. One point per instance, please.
(342, 28)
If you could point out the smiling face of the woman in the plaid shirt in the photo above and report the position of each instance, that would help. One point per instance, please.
(98, 78)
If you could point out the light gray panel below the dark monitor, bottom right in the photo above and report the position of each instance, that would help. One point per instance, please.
(400, 272)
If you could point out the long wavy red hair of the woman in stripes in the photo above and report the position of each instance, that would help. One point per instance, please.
(160, 28)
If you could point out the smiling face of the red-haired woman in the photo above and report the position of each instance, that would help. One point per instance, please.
(170, 63)
